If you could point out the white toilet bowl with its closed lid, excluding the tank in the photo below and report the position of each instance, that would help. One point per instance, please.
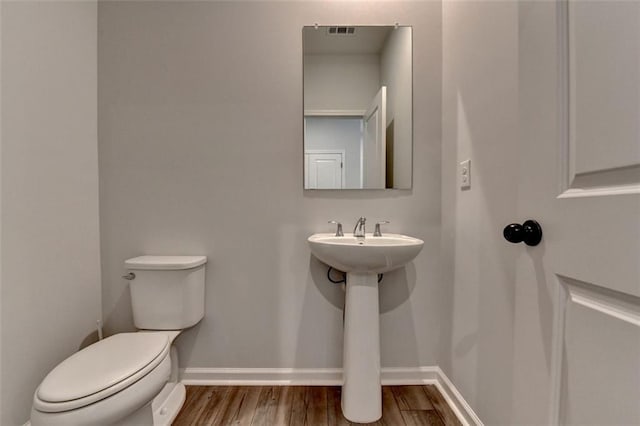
(106, 382)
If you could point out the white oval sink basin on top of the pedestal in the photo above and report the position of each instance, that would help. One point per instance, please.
(367, 255)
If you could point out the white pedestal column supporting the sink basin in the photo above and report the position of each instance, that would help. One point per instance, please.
(361, 391)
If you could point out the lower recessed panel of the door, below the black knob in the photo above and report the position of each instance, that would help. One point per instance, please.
(600, 355)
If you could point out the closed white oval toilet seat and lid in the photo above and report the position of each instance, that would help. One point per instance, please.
(101, 370)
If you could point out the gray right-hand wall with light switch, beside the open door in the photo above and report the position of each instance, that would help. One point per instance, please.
(480, 122)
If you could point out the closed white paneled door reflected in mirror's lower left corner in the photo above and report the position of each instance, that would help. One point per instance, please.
(324, 170)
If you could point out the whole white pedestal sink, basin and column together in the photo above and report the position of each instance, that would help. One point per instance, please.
(363, 259)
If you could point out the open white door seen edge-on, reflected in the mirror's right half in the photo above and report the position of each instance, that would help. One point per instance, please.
(374, 142)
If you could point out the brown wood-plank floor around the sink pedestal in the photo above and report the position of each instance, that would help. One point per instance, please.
(307, 405)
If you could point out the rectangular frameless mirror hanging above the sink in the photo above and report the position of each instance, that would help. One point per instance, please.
(357, 107)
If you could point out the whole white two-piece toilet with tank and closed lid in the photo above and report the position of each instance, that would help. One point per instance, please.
(130, 378)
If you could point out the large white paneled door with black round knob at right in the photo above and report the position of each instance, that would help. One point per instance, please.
(578, 293)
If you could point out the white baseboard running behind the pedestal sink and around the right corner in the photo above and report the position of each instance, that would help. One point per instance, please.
(331, 377)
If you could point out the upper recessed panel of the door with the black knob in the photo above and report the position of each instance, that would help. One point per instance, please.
(604, 97)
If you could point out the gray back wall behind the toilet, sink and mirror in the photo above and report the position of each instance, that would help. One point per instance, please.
(200, 149)
